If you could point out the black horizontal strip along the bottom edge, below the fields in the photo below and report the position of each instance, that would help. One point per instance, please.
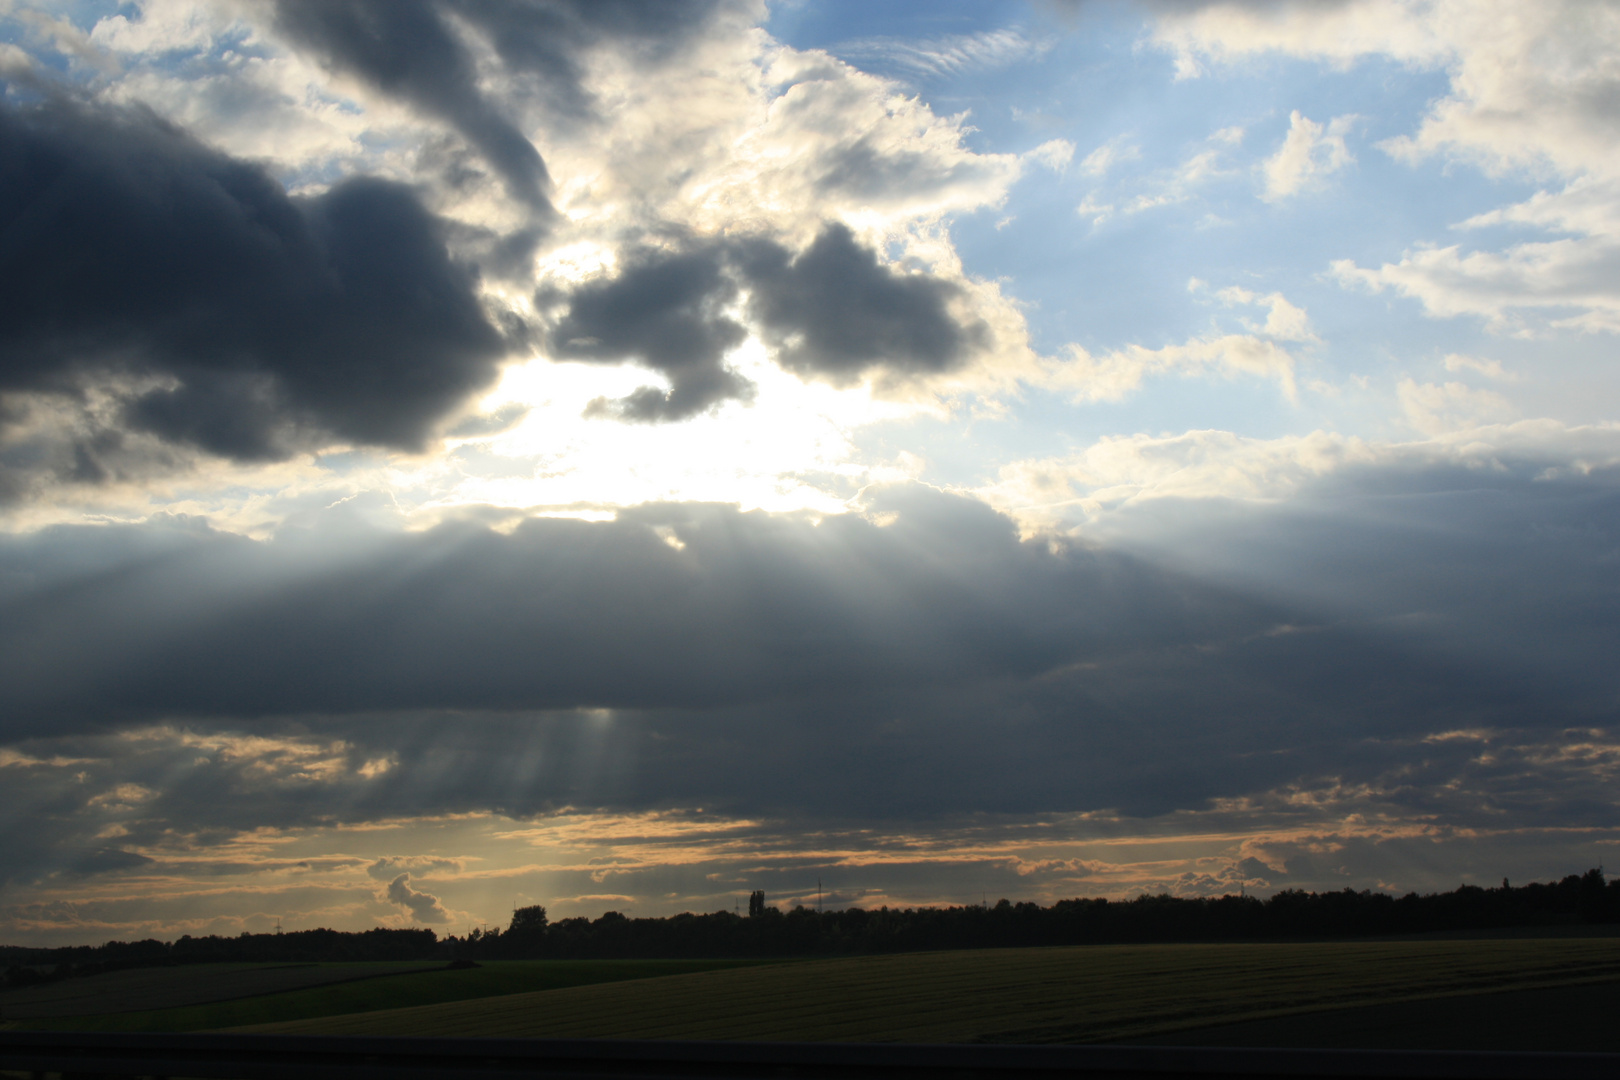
(364, 1058)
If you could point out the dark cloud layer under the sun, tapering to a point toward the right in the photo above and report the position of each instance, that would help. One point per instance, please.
(563, 614)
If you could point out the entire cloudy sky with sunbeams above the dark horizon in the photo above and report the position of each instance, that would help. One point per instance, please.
(467, 454)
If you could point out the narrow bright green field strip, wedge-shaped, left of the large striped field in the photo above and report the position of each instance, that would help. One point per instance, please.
(422, 989)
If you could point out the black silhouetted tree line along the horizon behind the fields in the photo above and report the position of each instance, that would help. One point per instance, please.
(769, 932)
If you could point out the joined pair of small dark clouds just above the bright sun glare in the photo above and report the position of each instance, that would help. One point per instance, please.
(832, 312)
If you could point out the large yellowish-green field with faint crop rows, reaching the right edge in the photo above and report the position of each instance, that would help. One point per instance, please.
(1078, 995)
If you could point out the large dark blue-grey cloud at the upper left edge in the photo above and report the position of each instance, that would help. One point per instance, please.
(266, 321)
